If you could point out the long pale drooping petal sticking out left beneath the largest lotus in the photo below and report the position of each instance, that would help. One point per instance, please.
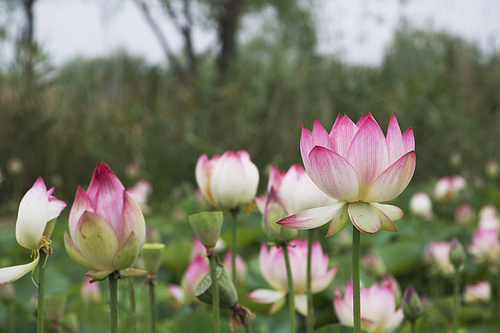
(311, 218)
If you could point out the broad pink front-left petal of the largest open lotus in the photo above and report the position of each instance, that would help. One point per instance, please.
(333, 174)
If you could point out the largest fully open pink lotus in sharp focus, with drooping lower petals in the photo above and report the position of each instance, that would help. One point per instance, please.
(360, 167)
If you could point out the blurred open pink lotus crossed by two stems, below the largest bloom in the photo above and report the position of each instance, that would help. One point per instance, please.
(273, 269)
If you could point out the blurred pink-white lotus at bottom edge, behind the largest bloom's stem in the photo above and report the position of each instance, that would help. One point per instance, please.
(378, 308)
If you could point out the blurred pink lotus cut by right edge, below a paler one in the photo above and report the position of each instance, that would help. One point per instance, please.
(485, 246)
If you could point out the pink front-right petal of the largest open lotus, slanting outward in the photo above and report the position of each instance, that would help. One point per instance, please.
(393, 180)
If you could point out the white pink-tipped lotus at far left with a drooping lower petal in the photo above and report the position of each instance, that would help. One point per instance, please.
(37, 215)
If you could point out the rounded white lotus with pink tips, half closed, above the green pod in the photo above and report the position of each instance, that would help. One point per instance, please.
(228, 181)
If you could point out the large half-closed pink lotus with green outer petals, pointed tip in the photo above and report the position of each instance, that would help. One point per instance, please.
(106, 225)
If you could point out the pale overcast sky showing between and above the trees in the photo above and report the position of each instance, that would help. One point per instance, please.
(356, 30)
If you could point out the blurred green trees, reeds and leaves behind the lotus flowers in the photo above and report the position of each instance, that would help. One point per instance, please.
(154, 121)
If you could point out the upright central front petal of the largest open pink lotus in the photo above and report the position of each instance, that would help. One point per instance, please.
(368, 155)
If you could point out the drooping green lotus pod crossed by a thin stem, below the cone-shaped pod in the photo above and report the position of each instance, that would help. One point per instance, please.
(227, 293)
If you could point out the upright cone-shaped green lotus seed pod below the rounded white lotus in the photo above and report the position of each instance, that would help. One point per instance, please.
(206, 227)
